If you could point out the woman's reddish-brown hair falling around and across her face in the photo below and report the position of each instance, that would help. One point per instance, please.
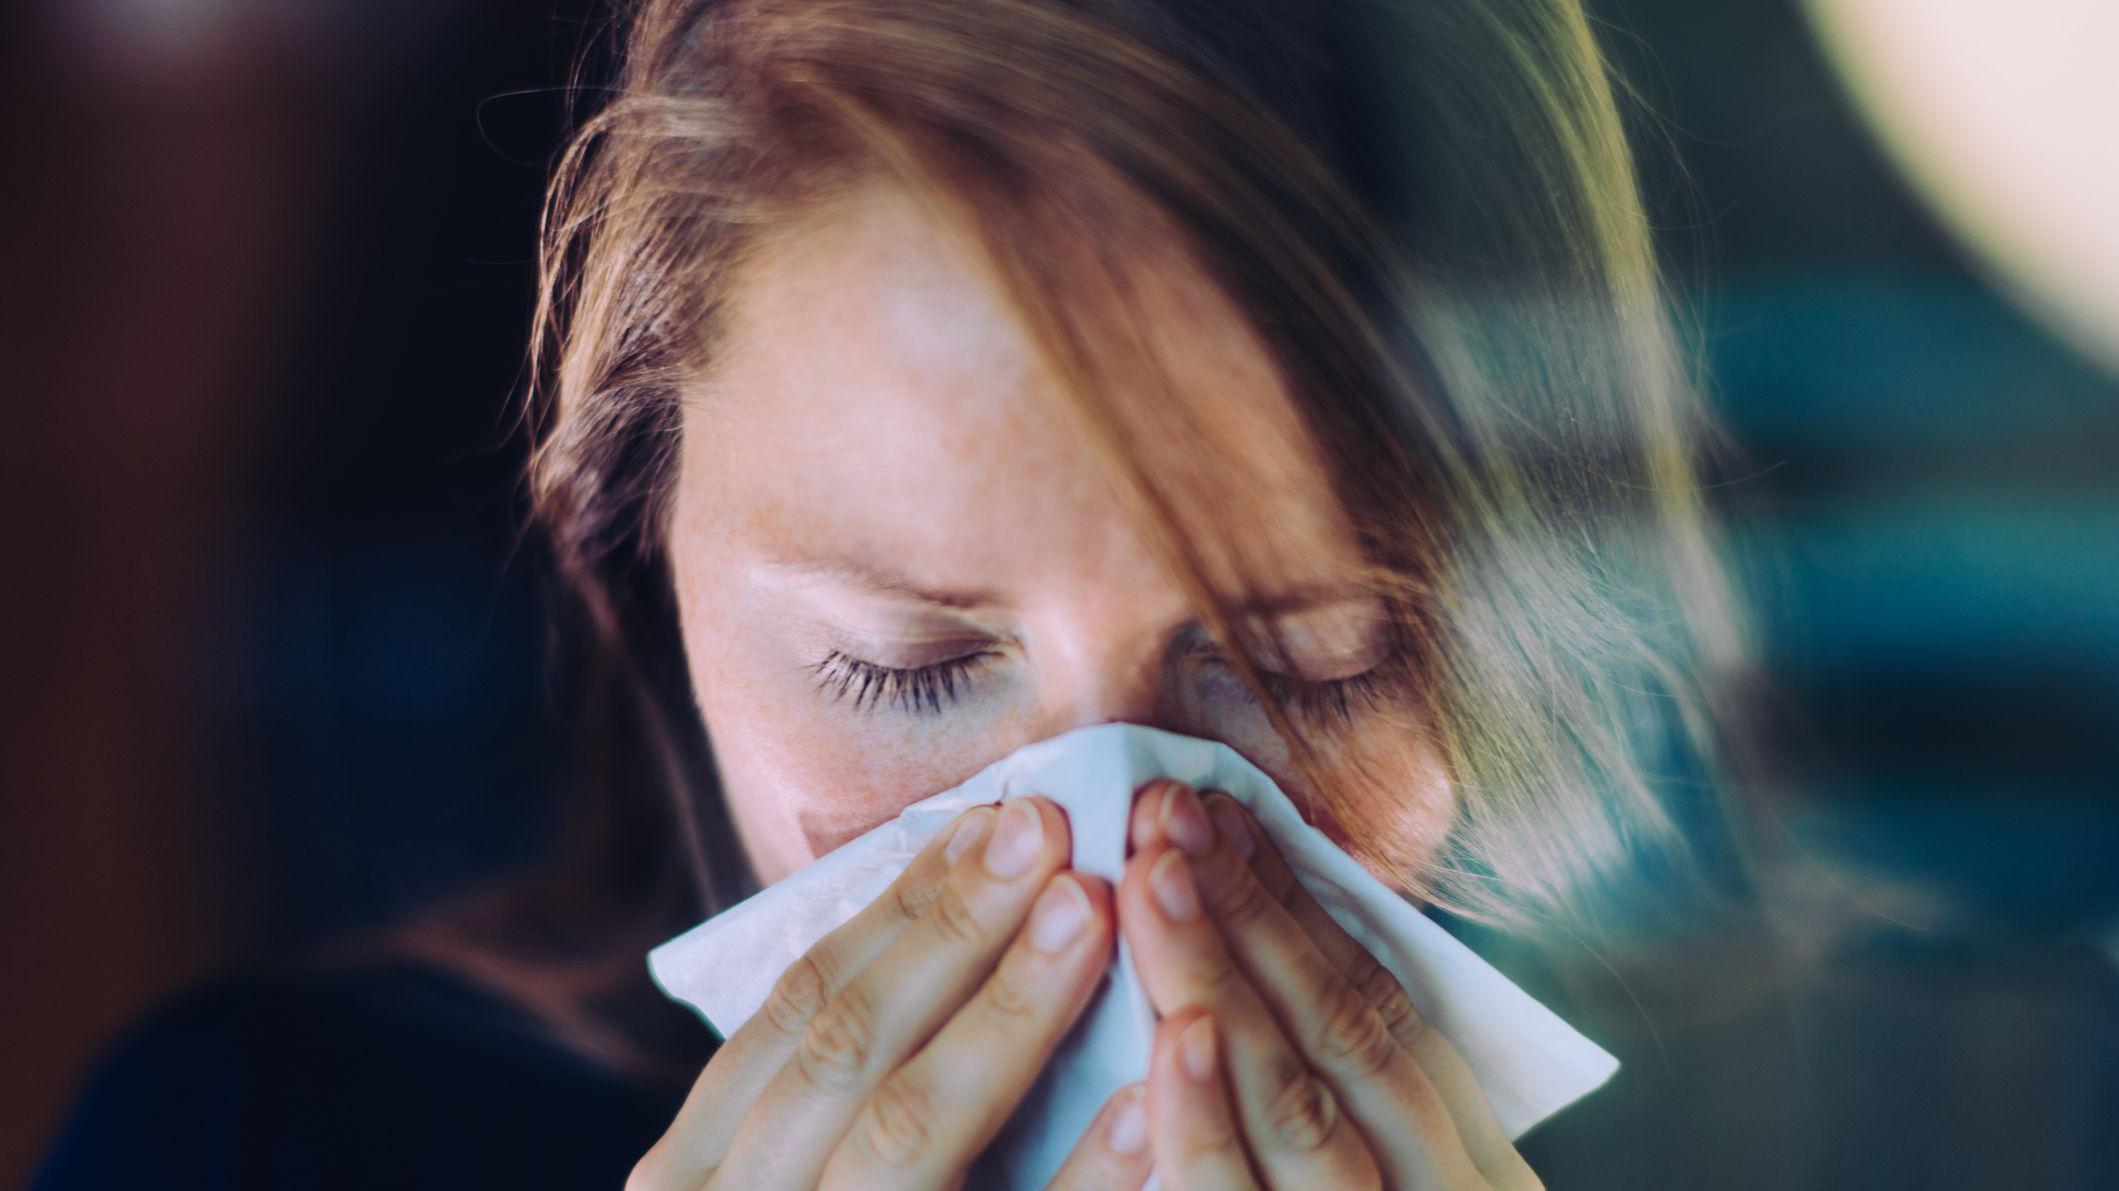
(1425, 211)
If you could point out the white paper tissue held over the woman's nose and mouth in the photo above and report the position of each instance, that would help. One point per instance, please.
(1529, 1061)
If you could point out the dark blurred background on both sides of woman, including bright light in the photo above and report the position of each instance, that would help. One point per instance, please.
(274, 654)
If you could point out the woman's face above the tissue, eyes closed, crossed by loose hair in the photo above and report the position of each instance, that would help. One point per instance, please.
(897, 558)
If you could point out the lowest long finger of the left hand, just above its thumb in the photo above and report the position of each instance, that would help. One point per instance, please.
(938, 1112)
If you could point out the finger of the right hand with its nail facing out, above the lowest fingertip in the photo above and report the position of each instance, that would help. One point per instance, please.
(1292, 1120)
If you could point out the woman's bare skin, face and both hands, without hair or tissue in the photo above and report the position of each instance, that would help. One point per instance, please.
(878, 491)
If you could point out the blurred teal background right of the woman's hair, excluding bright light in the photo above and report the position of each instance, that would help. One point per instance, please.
(1927, 522)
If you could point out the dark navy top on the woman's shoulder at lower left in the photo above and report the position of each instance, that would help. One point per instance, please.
(382, 1078)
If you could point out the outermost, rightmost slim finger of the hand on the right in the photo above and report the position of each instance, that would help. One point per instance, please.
(1444, 1067)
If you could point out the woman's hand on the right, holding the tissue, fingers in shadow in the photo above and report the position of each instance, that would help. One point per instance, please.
(1287, 1056)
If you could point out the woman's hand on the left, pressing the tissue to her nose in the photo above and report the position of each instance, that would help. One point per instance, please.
(893, 1052)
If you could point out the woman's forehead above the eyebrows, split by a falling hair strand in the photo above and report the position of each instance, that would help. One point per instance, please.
(876, 385)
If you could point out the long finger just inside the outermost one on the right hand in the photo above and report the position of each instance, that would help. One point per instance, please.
(1336, 1029)
